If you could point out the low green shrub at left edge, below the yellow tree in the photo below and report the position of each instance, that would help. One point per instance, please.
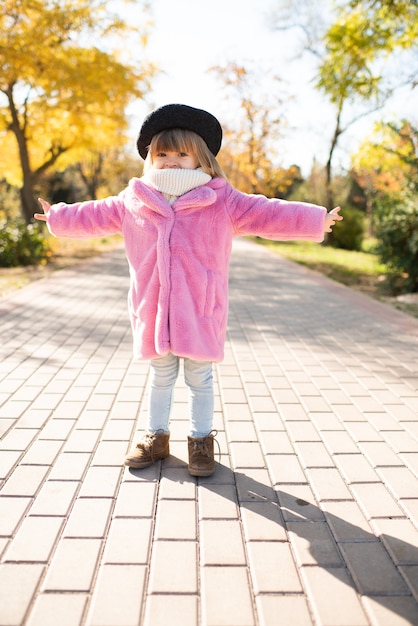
(22, 244)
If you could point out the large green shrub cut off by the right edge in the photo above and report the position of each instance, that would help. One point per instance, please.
(397, 245)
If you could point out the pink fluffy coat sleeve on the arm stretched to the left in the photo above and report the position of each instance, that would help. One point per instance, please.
(93, 218)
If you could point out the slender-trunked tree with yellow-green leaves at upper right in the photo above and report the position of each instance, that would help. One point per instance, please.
(354, 51)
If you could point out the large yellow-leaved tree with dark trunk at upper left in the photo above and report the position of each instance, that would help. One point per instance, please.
(60, 96)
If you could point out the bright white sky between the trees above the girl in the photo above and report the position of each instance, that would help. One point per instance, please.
(190, 36)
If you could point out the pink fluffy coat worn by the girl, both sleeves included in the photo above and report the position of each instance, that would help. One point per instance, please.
(179, 256)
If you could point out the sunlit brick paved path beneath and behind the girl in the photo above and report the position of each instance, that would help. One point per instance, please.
(311, 517)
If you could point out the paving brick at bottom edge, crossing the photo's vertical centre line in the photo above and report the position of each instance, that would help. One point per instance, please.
(226, 595)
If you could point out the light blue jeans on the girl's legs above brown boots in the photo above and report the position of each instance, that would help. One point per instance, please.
(199, 379)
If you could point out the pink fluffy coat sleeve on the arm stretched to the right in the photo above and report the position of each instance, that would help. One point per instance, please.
(274, 218)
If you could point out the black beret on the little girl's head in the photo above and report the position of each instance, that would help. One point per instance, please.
(180, 116)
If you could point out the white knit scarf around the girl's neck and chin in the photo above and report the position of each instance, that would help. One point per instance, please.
(175, 182)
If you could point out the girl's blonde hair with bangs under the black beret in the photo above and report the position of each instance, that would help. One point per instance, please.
(182, 140)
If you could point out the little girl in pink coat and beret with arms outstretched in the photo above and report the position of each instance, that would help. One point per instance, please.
(178, 222)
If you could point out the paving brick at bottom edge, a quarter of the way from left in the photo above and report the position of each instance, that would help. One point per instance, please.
(118, 596)
